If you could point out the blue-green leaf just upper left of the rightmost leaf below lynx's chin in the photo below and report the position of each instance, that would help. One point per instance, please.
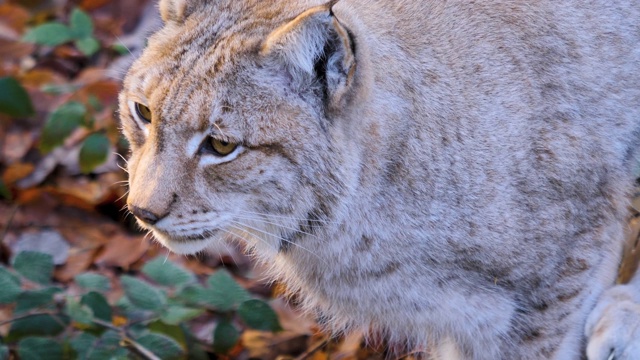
(225, 293)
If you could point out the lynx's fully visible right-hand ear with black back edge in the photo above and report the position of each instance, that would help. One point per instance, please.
(315, 45)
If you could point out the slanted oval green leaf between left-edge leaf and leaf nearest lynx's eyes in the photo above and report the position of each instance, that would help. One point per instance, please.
(61, 124)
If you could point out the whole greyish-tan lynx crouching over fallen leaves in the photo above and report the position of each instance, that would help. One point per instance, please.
(453, 175)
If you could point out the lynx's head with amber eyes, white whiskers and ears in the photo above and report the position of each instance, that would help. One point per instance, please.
(232, 113)
